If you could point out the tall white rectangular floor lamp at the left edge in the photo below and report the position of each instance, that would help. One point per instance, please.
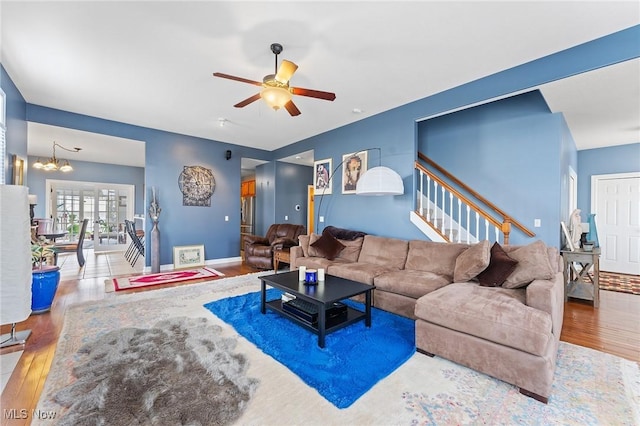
(15, 262)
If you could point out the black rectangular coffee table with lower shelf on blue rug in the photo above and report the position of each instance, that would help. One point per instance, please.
(323, 295)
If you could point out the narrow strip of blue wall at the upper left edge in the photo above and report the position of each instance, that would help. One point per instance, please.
(16, 131)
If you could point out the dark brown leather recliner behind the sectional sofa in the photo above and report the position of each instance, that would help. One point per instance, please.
(258, 251)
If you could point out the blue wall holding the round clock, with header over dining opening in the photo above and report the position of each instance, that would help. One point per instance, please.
(166, 154)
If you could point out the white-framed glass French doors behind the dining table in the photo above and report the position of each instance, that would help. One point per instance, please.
(105, 205)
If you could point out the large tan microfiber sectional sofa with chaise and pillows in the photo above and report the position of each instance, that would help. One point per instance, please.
(507, 326)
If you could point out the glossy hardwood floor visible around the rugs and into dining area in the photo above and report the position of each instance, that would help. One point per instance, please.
(613, 328)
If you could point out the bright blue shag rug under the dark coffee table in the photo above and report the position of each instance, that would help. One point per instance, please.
(353, 360)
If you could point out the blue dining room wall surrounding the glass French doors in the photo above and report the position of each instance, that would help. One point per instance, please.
(84, 171)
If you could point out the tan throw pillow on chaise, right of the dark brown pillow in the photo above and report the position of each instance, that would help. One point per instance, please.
(533, 263)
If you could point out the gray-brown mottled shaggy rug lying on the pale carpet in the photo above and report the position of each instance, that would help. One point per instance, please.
(179, 372)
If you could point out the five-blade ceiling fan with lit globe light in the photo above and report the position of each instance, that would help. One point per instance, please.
(275, 87)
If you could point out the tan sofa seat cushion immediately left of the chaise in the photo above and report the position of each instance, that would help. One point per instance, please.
(409, 282)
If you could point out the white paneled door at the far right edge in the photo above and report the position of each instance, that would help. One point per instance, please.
(615, 200)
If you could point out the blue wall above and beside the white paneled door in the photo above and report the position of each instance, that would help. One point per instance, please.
(603, 161)
